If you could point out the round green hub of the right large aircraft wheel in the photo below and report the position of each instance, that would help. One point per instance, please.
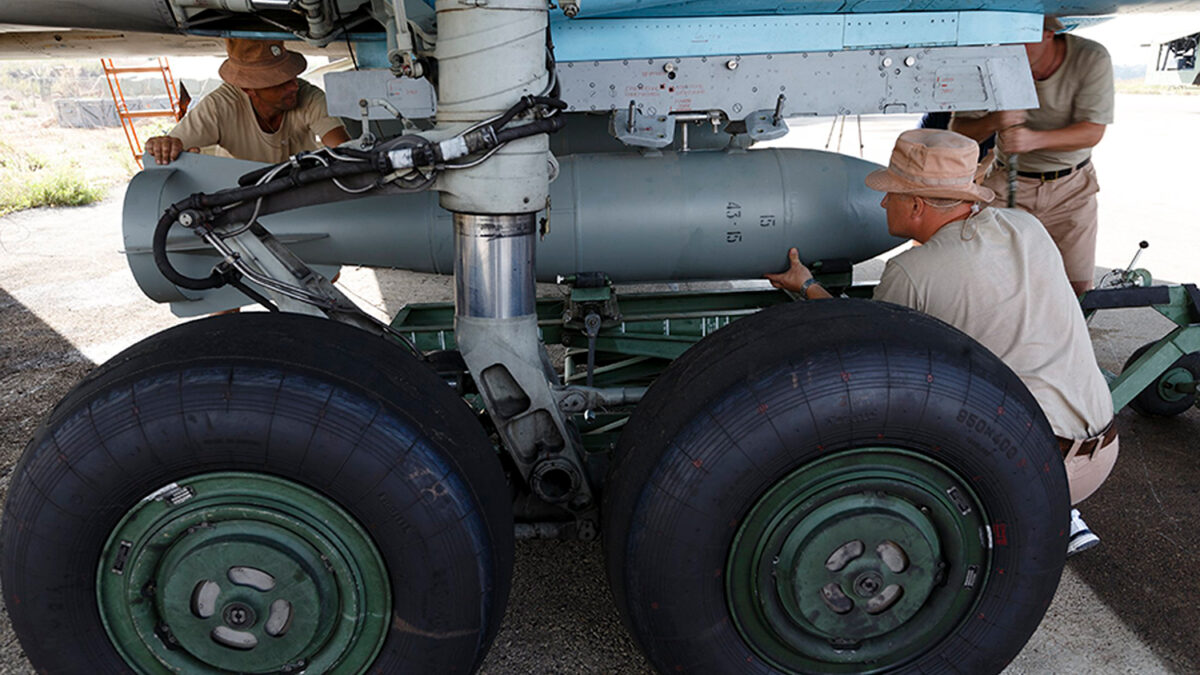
(863, 559)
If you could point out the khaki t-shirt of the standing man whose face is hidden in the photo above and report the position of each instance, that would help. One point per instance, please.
(1081, 91)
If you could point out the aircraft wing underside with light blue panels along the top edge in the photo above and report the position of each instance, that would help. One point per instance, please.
(597, 28)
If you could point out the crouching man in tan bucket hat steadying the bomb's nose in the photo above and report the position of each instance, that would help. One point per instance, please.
(997, 276)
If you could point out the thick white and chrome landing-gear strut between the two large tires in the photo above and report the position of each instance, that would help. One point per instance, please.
(489, 57)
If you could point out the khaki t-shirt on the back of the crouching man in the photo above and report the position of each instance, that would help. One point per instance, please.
(999, 278)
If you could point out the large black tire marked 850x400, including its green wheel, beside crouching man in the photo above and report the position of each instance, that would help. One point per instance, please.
(784, 404)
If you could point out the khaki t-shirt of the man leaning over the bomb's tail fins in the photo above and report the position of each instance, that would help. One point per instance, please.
(226, 118)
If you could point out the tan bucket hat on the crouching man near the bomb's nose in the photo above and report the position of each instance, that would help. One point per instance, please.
(933, 163)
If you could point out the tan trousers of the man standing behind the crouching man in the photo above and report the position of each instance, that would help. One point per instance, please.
(1066, 207)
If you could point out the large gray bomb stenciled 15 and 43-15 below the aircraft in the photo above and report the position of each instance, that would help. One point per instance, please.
(676, 217)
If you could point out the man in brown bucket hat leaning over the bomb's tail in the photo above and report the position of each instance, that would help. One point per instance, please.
(262, 112)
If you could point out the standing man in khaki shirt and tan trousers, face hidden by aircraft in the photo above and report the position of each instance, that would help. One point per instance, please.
(1052, 146)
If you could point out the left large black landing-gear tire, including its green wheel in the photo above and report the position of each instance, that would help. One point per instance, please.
(290, 405)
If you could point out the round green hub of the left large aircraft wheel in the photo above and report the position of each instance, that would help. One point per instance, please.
(243, 574)
